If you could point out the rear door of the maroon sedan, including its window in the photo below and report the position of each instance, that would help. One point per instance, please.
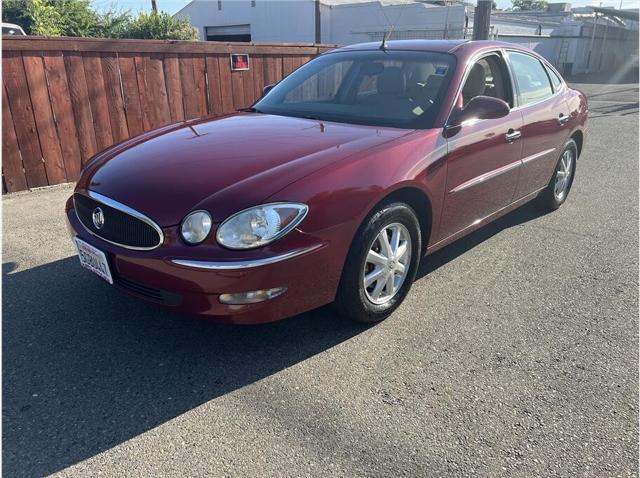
(545, 114)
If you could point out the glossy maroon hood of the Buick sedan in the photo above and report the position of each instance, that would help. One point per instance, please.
(240, 159)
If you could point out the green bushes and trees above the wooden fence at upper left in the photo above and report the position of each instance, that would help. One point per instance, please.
(76, 18)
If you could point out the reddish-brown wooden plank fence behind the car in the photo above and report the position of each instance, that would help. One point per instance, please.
(65, 99)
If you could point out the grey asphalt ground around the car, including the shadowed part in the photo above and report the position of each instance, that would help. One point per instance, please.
(515, 354)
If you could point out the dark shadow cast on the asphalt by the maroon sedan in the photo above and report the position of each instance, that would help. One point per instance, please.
(87, 368)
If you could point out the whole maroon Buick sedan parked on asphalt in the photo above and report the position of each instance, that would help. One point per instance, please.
(334, 185)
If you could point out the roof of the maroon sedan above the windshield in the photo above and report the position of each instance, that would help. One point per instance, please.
(445, 46)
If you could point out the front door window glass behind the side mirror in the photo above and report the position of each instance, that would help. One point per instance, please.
(487, 78)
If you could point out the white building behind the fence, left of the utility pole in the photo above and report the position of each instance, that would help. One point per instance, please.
(340, 21)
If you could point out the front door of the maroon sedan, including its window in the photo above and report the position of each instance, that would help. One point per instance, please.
(484, 156)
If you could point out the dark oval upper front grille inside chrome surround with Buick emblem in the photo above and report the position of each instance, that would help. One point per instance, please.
(119, 227)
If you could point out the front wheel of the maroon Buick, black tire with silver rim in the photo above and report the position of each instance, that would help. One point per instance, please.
(358, 302)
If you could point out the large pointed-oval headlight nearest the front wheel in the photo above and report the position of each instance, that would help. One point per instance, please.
(258, 226)
